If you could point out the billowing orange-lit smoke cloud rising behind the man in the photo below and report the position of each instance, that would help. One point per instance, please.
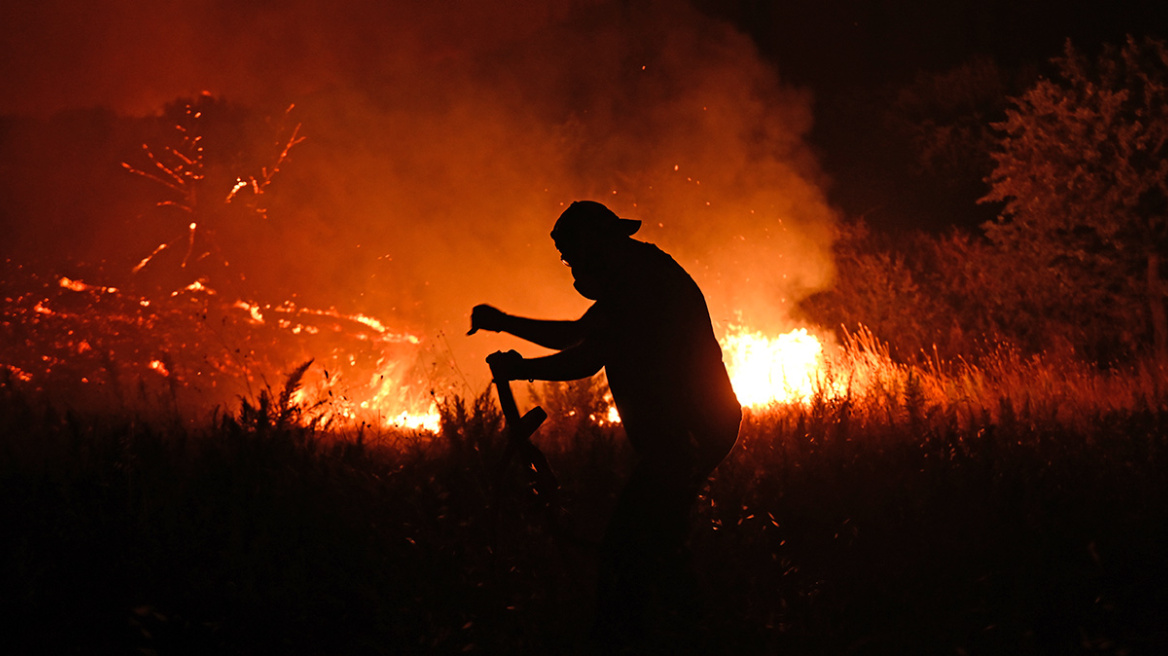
(443, 141)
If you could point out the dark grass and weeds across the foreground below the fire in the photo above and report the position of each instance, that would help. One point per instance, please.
(835, 528)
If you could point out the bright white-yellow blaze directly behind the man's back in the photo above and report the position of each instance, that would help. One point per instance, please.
(764, 371)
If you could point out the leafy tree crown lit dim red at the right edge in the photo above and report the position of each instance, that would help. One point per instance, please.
(1082, 169)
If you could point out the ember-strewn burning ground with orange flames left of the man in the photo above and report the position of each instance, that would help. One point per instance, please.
(96, 347)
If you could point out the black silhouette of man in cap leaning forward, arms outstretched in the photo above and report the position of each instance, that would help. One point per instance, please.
(650, 330)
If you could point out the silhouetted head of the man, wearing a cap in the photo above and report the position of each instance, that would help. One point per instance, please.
(587, 235)
